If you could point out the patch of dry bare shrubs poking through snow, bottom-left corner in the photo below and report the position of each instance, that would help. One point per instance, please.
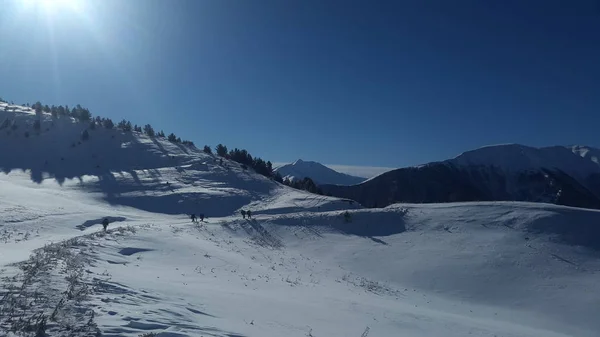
(36, 294)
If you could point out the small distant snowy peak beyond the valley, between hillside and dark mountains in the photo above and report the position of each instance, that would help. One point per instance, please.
(319, 173)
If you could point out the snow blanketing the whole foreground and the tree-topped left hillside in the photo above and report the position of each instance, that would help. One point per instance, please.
(297, 268)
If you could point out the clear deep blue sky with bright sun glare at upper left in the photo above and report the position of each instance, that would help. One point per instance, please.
(374, 83)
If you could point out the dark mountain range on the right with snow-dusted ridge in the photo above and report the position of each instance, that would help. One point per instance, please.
(565, 175)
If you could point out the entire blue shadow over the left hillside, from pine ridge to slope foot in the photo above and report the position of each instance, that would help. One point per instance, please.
(116, 158)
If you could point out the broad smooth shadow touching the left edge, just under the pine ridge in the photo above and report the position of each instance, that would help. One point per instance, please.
(61, 154)
